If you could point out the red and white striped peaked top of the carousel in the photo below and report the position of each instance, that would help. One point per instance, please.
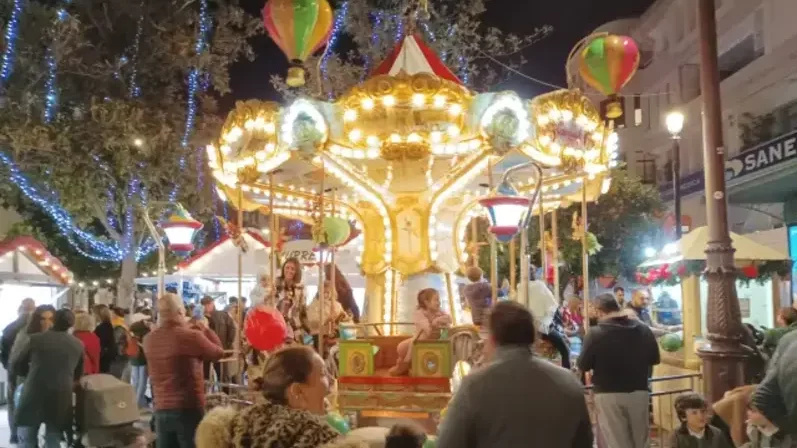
(412, 56)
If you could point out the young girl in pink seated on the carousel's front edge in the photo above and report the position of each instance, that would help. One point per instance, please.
(429, 321)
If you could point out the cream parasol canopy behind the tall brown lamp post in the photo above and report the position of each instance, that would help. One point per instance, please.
(693, 246)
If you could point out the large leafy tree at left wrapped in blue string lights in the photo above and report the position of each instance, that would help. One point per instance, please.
(104, 113)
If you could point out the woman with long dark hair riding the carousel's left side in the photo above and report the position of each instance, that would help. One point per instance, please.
(290, 298)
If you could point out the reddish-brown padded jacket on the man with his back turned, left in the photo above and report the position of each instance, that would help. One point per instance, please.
(175, 353)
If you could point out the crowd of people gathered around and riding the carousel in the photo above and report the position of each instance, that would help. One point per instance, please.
(514, 399)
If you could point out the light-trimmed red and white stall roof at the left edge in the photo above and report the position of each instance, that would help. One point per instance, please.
(26, 260)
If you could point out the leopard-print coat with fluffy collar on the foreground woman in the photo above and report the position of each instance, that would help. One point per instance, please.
(264, 425)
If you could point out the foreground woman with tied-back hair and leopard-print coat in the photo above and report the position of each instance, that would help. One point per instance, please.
(294, 387)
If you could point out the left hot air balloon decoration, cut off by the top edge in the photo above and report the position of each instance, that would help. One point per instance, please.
(299, 27)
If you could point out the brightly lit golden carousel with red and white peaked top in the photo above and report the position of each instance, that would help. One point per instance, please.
(409, 157)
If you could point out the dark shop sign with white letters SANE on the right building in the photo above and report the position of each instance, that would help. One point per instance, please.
(771, 153)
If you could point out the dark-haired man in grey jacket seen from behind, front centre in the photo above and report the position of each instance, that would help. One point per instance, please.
(518, 400)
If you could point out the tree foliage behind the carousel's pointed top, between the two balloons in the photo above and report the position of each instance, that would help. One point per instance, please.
(452, 28)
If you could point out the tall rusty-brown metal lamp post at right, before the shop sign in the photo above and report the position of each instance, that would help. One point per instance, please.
(723, 357)
